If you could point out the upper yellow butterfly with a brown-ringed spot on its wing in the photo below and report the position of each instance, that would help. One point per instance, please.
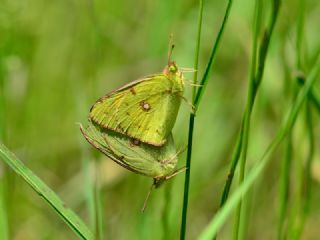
(144, 109)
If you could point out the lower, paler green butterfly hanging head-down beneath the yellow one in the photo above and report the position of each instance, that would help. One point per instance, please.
(156, 162)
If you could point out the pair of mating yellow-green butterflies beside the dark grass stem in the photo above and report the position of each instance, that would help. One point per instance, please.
(132, 125)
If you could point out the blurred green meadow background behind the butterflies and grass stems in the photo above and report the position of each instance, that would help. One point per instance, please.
(58, 57)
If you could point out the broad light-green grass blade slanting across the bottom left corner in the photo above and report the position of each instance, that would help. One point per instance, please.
(44, 191)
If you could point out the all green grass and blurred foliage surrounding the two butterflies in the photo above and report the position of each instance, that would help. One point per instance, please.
(259, 110)
